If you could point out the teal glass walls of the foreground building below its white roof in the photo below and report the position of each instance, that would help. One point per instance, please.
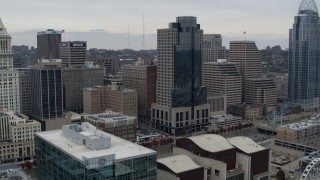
(53, 163)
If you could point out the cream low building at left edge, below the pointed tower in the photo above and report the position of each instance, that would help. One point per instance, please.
(17, 136)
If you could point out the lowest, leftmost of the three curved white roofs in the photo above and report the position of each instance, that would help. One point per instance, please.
(179, 163)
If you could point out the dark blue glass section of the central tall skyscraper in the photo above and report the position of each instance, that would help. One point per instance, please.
(188, 90)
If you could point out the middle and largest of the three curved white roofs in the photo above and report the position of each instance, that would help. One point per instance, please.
(211, 142)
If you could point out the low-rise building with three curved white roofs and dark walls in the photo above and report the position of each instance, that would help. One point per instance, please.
(218, 159)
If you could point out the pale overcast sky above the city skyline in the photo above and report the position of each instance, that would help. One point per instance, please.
(106, 24)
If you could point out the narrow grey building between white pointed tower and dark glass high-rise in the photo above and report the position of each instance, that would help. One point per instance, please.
(25, 90)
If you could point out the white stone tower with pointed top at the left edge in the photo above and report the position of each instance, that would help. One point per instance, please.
(9, 77)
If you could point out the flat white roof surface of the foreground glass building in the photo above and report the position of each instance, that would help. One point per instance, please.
(121, 148)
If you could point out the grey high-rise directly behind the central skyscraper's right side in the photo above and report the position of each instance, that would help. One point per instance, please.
(212, 48)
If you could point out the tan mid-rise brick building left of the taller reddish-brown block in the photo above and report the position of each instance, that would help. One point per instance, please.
(114, 97)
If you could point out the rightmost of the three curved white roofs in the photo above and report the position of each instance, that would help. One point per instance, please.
(245, 144)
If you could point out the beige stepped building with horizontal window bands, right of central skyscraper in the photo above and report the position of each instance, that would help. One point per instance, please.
(223, 78)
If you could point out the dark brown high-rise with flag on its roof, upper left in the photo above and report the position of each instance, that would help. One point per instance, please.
(48, 44)
